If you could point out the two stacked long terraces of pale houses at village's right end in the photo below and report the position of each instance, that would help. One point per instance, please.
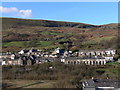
(92, 57)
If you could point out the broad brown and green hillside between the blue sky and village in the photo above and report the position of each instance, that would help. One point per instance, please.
(26, 33)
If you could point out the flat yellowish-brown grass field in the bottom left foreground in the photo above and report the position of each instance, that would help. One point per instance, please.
(19, 84)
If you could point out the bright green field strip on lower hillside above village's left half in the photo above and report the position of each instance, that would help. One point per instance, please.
(37, 44)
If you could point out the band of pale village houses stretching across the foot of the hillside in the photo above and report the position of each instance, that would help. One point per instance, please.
(36, 56)
